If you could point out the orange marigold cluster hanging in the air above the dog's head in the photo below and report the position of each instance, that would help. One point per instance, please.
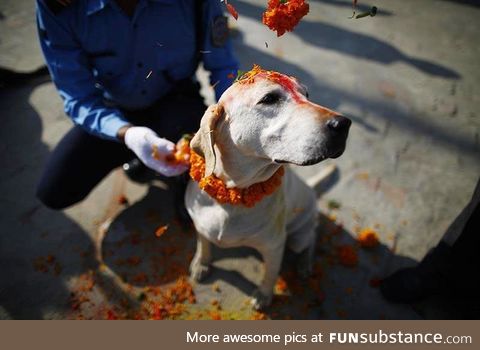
(284, 15)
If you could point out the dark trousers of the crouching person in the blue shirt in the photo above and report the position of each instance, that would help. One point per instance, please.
(80, 160)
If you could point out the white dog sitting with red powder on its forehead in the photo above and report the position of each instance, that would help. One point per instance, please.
(259, 125)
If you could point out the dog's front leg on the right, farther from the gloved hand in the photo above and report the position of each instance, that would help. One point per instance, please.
(272, 257)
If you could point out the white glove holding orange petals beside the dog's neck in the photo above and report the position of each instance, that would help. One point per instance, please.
(143, 141)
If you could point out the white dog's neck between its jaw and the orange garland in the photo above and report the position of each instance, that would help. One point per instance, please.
(237, 171)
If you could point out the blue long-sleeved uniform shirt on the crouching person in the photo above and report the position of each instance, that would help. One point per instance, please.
(94, 51)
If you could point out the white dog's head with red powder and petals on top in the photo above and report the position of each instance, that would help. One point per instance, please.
(267, 115)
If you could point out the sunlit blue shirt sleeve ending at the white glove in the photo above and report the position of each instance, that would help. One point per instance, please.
(71, 73)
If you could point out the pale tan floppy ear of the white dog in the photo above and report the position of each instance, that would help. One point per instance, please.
(203, 141)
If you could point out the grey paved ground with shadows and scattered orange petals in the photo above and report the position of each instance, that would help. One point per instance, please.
(408, 79)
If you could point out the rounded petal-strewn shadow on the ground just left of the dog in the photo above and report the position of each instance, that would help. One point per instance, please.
(134, 252)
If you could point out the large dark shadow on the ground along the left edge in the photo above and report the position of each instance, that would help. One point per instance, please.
(44, 255)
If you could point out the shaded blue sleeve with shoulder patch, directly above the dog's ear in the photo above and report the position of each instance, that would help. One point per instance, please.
(218, 56)
